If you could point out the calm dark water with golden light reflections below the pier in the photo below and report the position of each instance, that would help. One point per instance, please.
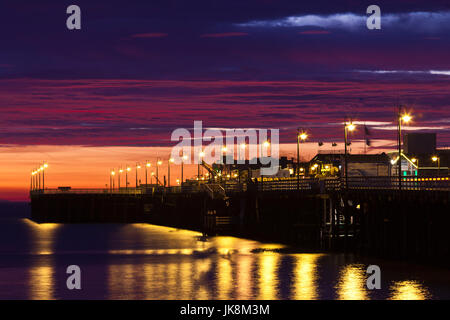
(141, 261)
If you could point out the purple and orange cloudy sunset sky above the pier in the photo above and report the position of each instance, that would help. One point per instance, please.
(112, 93)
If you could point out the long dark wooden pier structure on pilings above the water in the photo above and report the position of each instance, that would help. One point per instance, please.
(368, 215)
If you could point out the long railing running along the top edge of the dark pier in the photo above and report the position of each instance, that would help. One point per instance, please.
(321, 185)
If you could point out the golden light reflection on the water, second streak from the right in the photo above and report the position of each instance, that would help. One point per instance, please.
(352, 283)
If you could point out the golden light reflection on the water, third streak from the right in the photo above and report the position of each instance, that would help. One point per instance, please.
(305, 277)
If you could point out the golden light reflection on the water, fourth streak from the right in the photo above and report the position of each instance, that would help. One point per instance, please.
(267, 276)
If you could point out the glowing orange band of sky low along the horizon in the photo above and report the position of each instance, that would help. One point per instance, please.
(89, 167)
